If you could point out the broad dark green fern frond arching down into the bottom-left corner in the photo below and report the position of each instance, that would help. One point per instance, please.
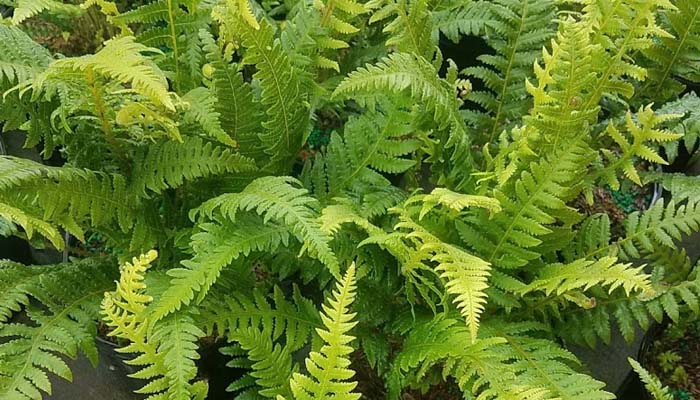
(63, 323)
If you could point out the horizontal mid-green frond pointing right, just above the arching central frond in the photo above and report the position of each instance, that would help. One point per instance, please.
(169, 164)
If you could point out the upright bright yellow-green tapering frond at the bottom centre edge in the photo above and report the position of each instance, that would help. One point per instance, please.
(329, 375)
